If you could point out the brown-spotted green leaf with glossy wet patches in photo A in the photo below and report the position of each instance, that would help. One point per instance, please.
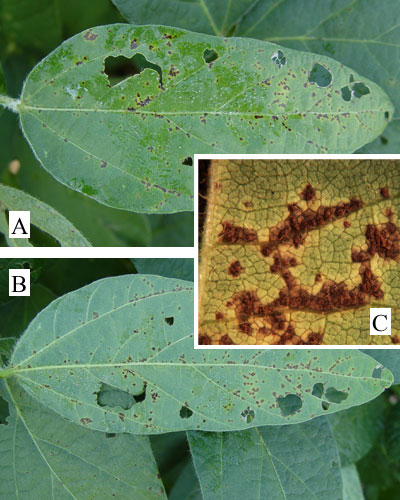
(78, 123)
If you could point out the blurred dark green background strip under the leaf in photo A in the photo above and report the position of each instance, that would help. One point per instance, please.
(101, 225)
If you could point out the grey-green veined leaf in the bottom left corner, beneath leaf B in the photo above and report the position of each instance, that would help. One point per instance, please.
(44, 456)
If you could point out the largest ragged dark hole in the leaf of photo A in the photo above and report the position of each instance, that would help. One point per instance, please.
(120, 68)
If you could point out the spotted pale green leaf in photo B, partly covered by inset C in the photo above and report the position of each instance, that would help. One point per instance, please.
(135, 333)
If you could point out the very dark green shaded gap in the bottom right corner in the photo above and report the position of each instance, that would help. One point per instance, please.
(383, 459)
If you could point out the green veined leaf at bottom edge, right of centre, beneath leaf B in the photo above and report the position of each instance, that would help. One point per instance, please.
(300, 461)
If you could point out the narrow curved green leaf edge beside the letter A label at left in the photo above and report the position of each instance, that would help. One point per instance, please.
(42, 216)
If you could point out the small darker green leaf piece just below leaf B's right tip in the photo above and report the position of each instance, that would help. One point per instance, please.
(357, 429)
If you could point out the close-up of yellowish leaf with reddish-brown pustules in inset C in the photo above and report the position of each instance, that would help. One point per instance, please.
(296, 252)
